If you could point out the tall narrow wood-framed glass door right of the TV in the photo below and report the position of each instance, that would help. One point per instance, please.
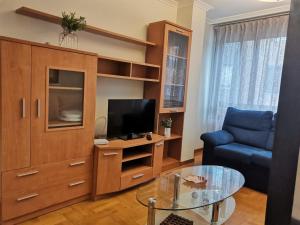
(175, 69)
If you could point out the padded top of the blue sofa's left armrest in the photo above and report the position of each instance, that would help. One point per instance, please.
(216, 138)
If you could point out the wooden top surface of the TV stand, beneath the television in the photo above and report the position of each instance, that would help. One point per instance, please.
(120, 144)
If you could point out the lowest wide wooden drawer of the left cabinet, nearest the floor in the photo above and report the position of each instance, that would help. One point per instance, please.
(18, 203)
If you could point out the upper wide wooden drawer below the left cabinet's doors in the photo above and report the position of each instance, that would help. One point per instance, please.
(43, 176)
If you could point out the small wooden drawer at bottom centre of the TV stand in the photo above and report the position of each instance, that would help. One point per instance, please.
(138, 176)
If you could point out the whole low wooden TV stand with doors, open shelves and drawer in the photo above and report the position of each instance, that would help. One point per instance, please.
(122, 164)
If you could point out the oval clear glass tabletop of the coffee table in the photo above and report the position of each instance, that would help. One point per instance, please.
(221, 183)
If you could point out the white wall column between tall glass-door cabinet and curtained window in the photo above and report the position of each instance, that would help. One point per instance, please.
(192, 14)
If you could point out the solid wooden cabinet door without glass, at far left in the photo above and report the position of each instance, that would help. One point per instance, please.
(15, 104)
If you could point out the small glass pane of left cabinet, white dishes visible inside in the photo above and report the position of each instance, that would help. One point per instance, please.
(65, 98)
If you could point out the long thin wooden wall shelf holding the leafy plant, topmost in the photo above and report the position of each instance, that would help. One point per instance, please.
(91, 29)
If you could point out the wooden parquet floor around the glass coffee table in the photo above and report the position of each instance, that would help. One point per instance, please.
(123, 209)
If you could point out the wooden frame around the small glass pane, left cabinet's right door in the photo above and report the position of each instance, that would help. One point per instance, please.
(59, 145)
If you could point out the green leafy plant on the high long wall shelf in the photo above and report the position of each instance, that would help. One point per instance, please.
(71, 24)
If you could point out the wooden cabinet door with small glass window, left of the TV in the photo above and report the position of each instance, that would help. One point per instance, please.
(50, 143)
